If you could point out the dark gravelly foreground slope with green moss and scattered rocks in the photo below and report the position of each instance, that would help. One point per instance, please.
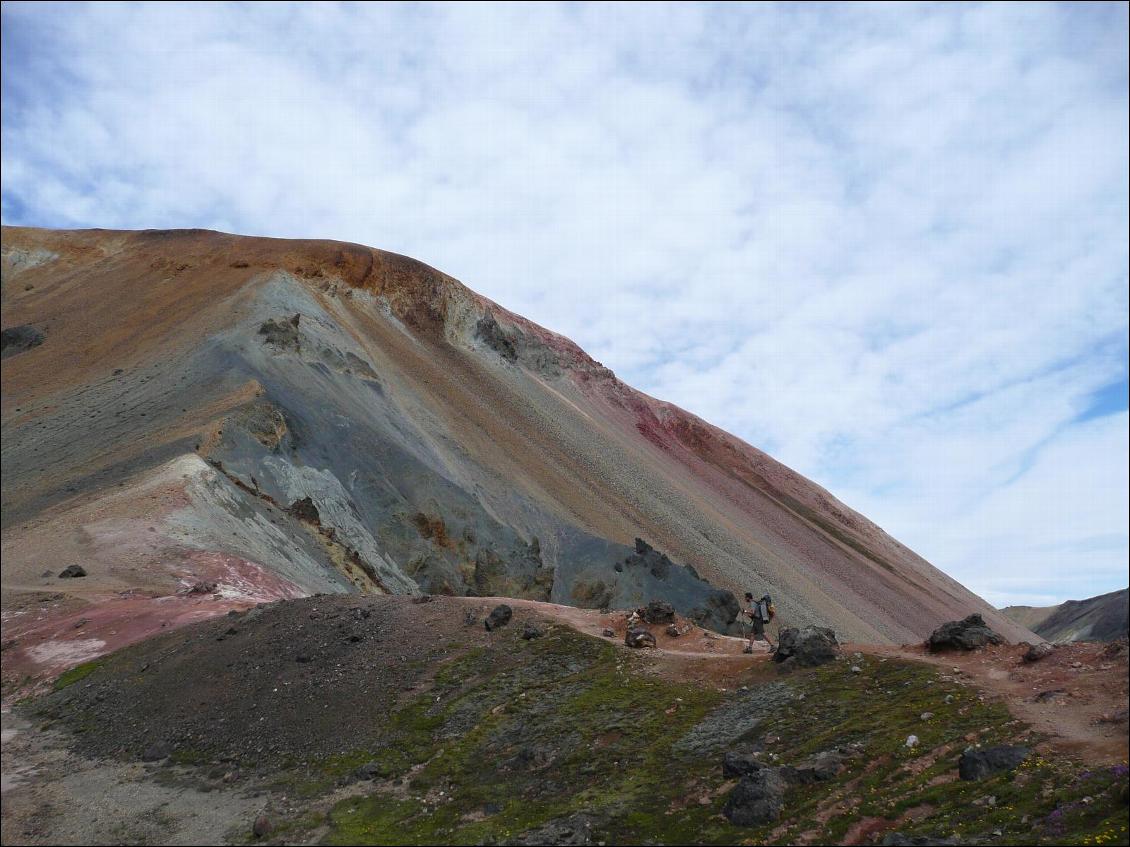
(354, 720)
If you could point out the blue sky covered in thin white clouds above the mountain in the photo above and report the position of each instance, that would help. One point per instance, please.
(889, 245)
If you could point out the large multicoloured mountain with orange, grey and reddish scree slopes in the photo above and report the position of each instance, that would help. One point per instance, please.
(203, 422)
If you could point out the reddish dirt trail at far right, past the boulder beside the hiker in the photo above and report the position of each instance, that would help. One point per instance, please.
(1072, 696)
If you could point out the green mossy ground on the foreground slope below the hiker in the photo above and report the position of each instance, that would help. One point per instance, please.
(526, 734)
